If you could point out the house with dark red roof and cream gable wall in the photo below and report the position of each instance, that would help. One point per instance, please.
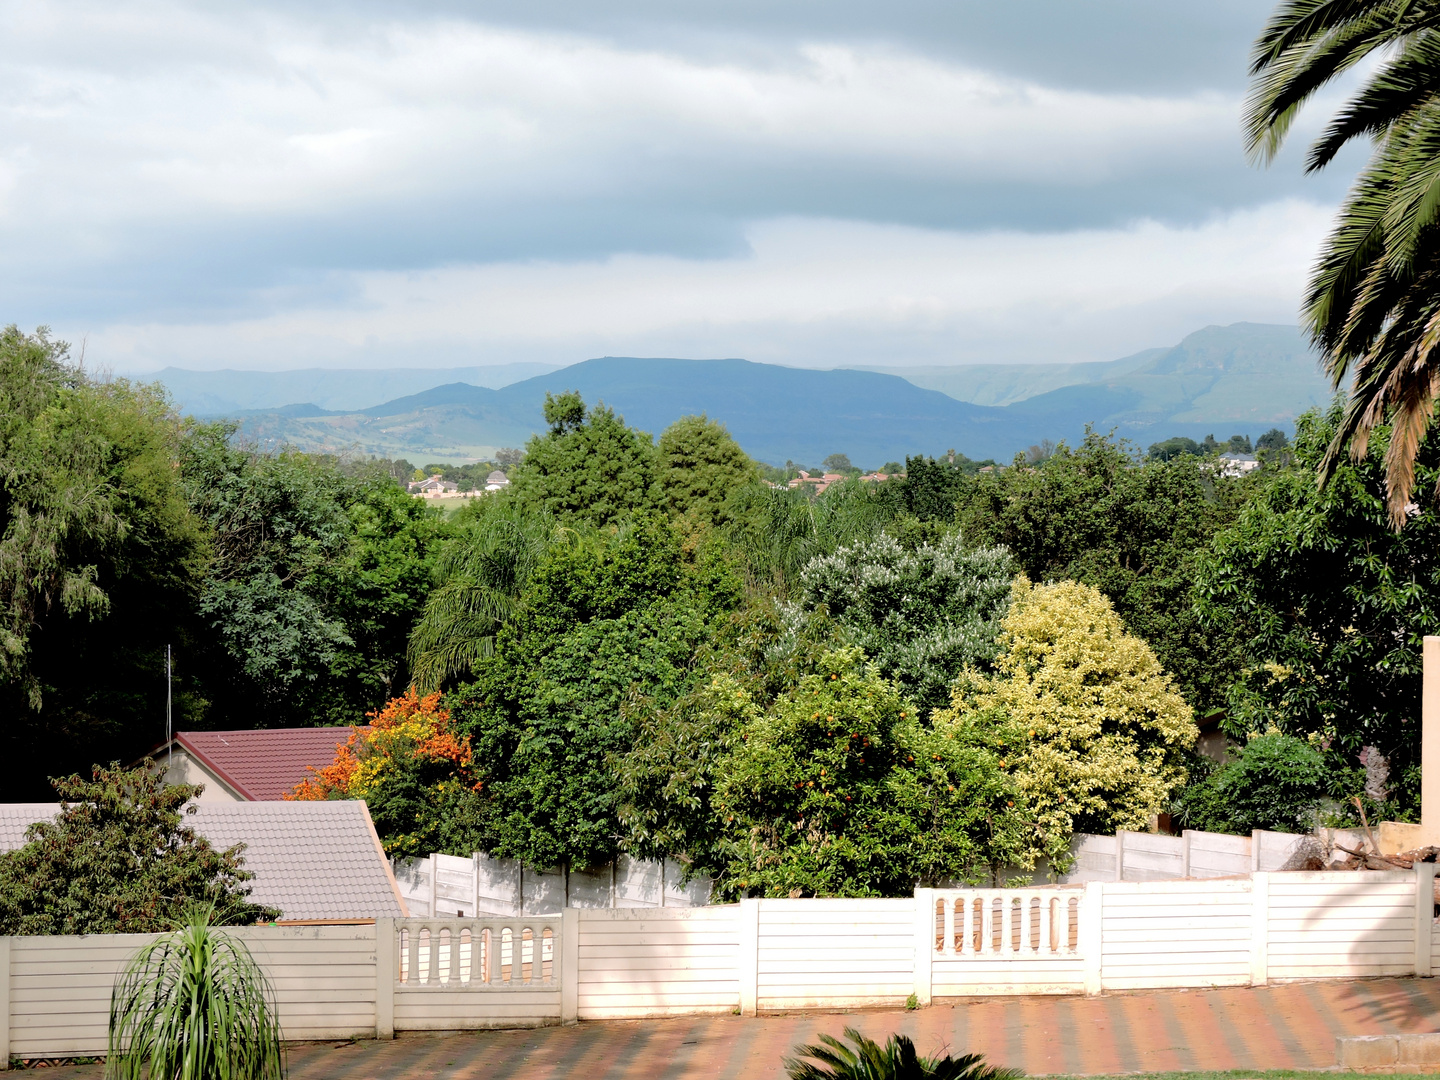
(248, 767)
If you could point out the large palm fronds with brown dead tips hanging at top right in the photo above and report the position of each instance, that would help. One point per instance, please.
(1374, 299)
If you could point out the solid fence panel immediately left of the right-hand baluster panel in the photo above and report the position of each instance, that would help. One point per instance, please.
(834, 954)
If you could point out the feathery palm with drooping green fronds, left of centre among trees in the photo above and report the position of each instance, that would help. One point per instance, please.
(480, 577)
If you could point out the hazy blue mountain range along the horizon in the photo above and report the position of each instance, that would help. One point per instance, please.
(1241, 379)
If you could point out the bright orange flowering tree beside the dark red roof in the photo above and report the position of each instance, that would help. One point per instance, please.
(417, 774)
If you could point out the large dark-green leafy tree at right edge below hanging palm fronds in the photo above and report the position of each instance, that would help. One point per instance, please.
(1331, 607)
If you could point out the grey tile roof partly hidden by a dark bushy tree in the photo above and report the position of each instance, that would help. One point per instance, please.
(312, 860)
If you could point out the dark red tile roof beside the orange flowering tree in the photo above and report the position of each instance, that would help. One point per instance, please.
(264, 765)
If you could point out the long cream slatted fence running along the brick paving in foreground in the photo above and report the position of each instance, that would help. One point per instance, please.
(768, 955)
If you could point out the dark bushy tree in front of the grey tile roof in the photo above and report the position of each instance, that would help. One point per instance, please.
(119, 859)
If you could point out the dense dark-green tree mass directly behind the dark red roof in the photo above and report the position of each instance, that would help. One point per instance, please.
(315, 584)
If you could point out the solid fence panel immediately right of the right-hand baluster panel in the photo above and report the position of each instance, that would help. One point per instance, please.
(1176, 934)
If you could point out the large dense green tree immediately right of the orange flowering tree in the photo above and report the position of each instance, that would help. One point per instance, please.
(606, 630)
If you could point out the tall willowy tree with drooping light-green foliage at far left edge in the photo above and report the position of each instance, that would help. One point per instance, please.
(100, 561)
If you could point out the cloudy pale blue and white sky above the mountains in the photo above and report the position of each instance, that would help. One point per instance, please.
(377, 185)
